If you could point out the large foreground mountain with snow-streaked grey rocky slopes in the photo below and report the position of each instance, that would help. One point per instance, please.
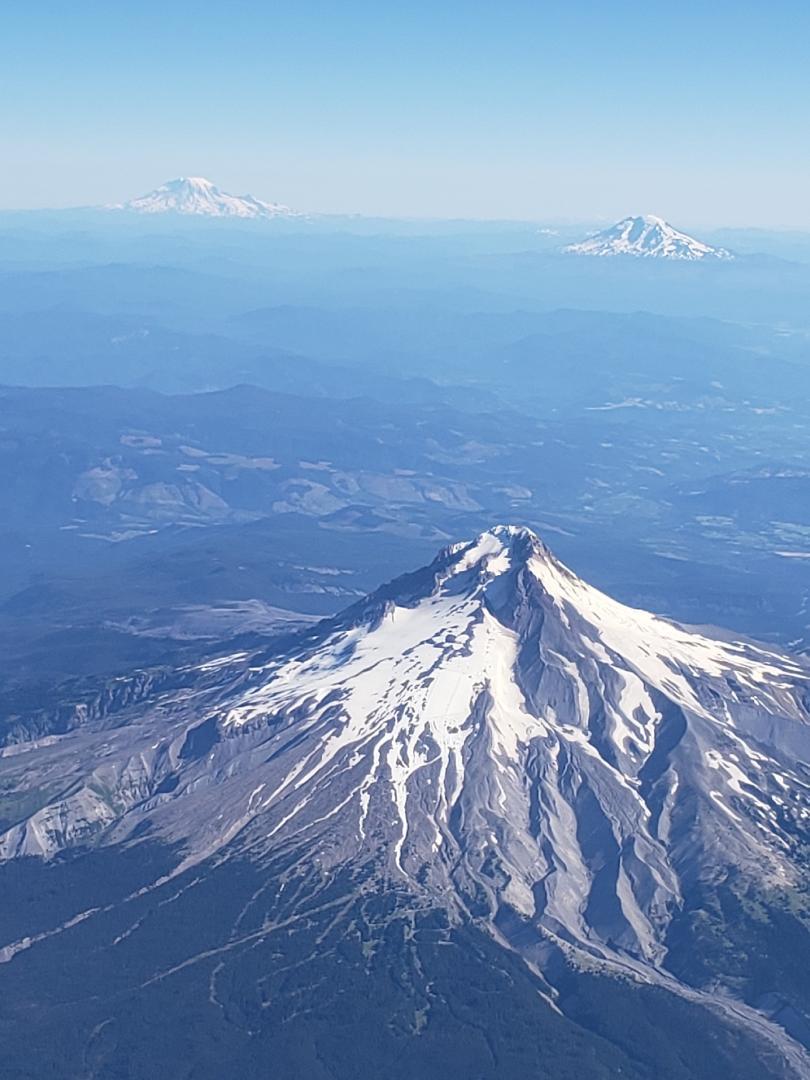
(490, 737)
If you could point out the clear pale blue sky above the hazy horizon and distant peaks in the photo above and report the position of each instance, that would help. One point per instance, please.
(697, 112)
